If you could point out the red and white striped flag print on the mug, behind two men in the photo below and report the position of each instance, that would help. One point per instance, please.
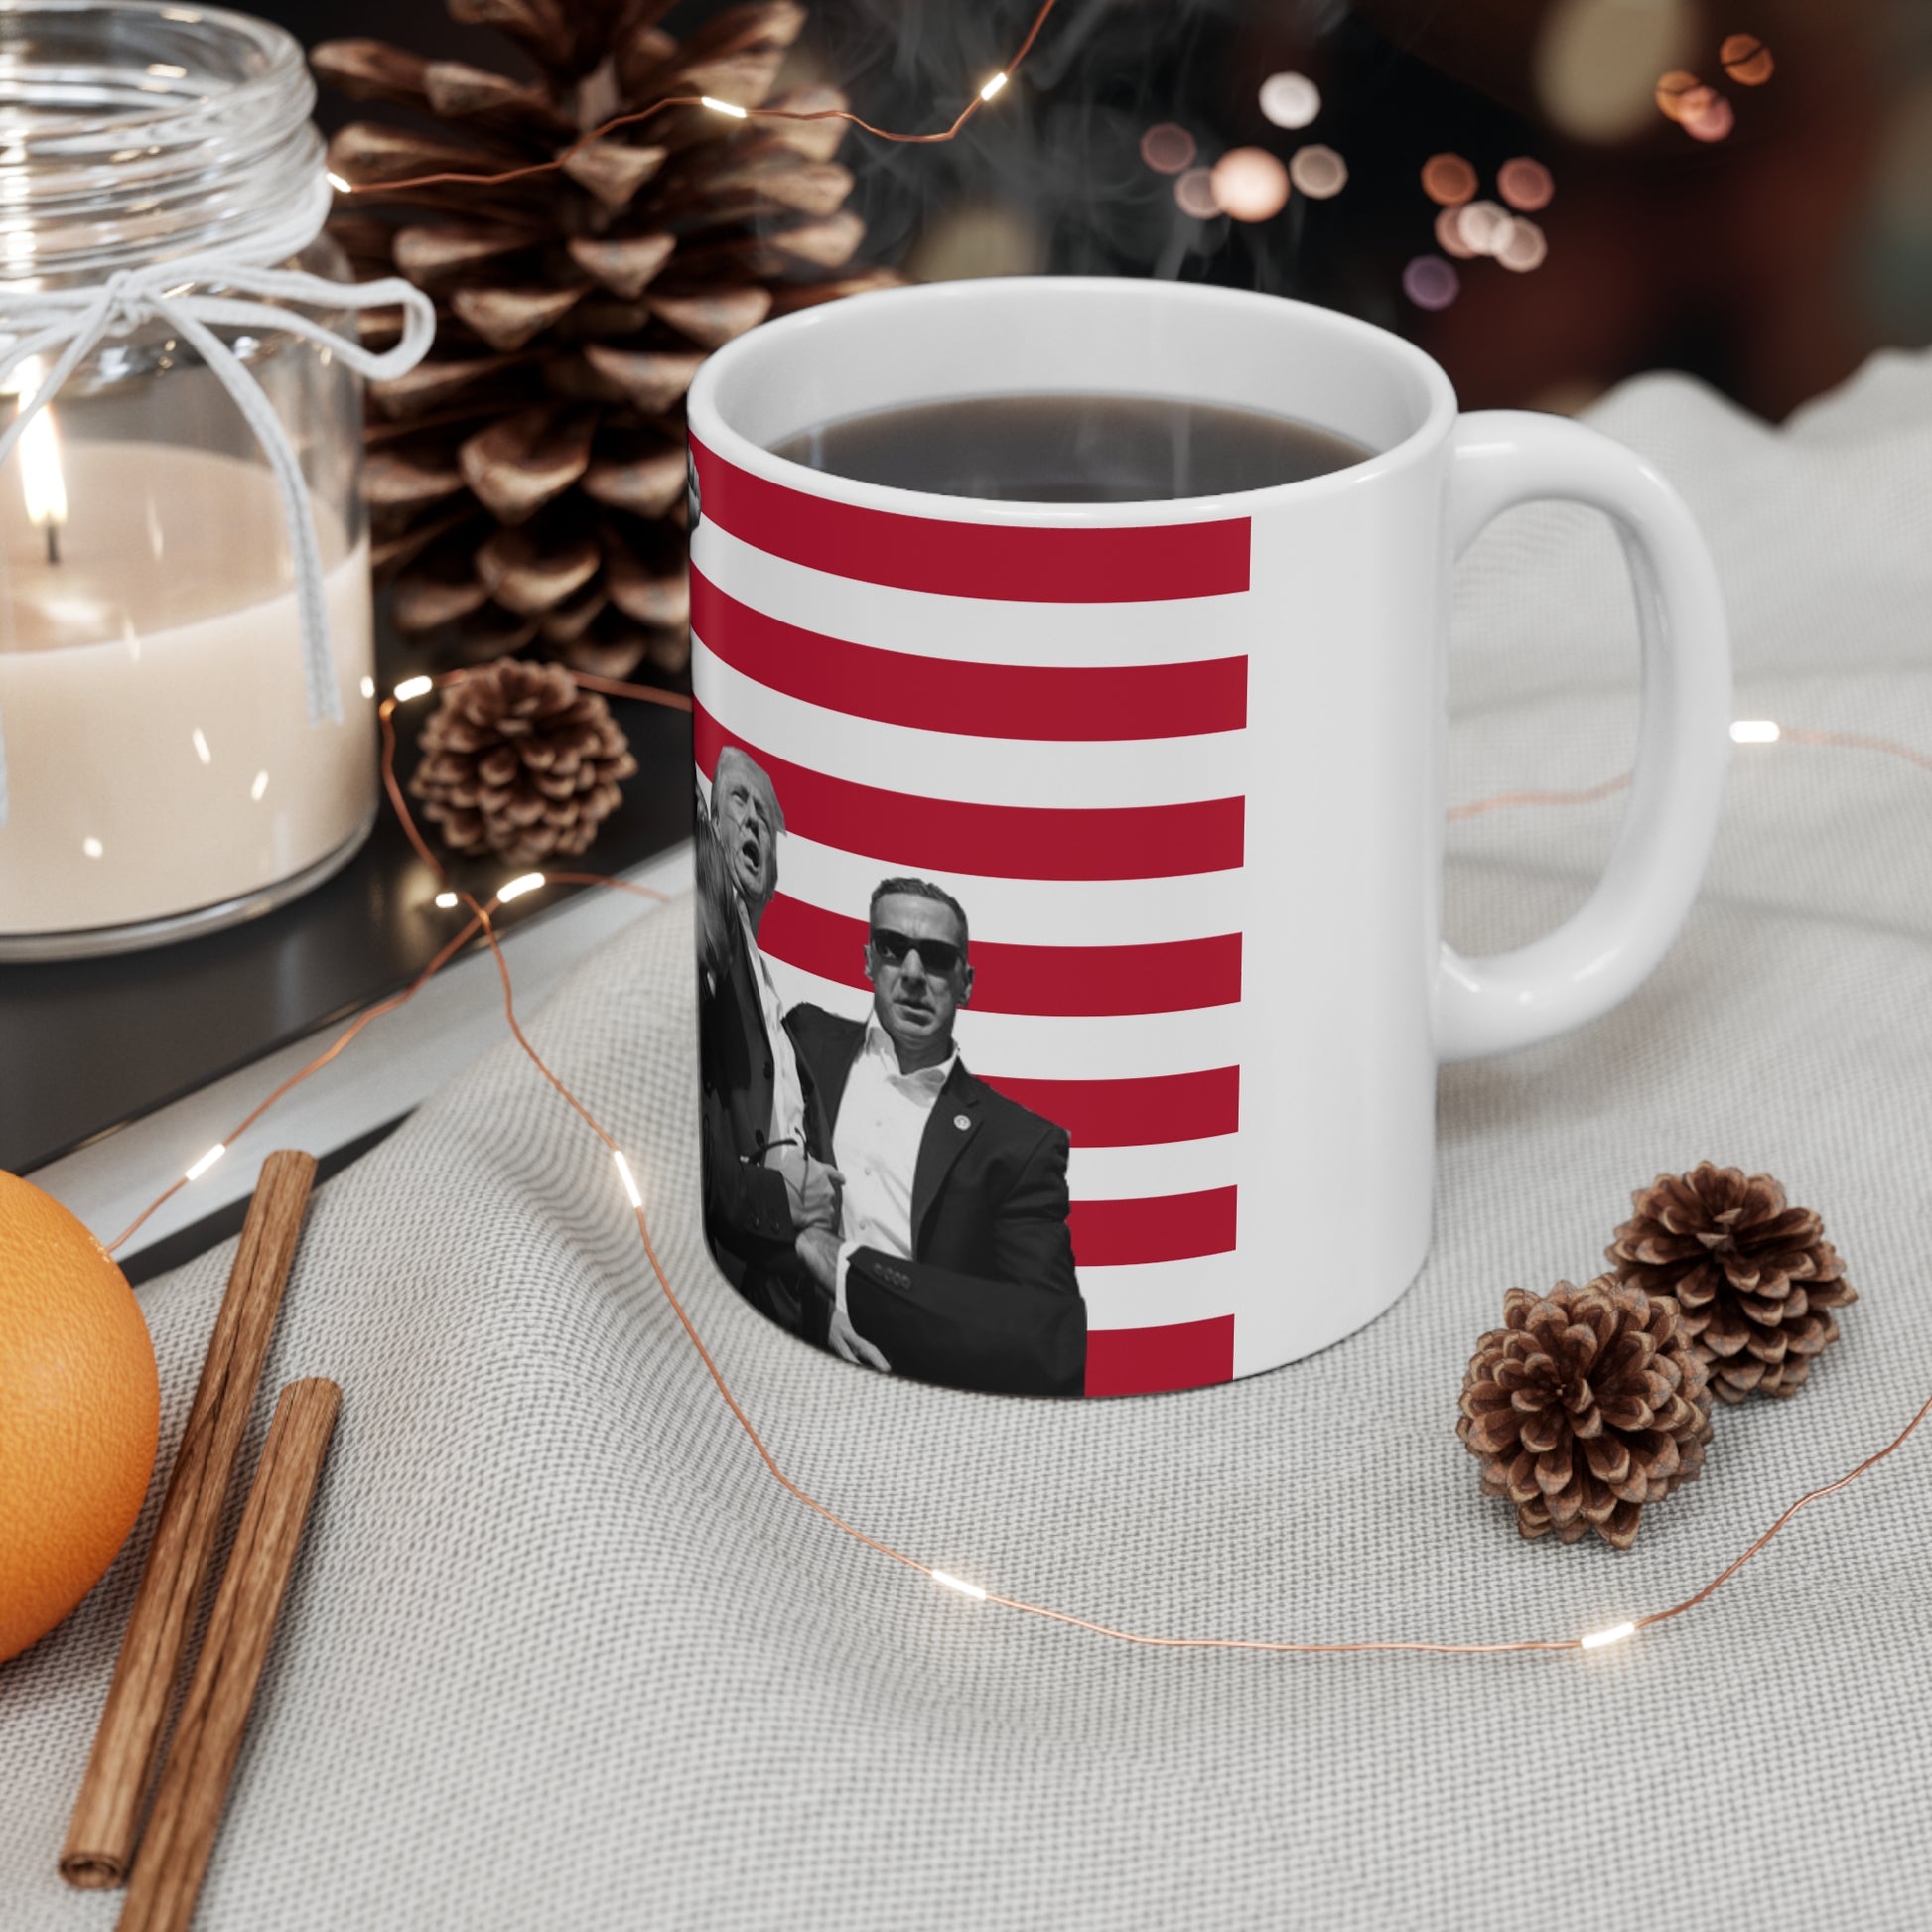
(1085, 805)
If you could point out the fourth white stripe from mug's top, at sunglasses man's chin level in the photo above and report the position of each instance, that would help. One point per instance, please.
(1025, 1046)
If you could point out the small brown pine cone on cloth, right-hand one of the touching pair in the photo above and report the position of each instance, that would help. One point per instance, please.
(1757, 1282)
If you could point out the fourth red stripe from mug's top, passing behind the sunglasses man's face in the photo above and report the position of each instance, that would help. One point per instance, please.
(1170, 977)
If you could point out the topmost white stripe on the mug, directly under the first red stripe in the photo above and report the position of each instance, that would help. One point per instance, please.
(1172, 631)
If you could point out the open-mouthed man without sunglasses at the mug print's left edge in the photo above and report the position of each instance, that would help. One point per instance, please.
(762, 1185)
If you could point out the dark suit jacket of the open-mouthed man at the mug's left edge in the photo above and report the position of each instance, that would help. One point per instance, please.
(749, 1212)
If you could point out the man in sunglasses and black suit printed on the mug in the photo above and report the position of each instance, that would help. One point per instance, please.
(953, 1259)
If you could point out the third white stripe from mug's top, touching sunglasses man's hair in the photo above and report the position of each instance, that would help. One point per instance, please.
(1040, 913)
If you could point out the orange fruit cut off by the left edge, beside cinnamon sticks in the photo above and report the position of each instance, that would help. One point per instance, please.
(80, 1413)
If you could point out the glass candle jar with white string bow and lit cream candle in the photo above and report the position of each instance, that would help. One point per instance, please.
(169, 768)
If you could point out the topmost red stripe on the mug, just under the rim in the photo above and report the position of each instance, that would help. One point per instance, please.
(996, 561)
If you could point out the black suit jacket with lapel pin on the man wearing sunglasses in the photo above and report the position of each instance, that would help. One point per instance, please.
(990, 1299)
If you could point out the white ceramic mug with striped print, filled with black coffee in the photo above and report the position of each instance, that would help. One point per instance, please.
(1181, 766)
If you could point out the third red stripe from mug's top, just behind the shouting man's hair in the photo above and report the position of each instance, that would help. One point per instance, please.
(1004, 841)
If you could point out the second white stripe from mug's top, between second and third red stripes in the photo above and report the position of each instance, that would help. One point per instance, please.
(986, 772)
